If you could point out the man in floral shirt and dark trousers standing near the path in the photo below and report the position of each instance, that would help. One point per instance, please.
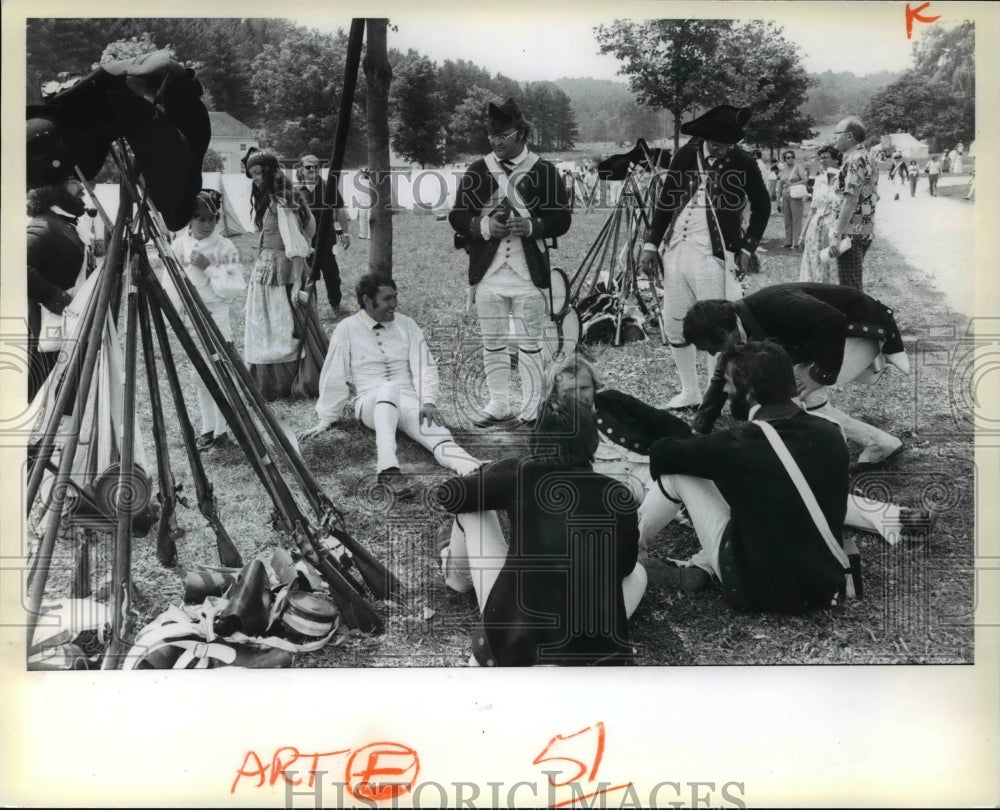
(856, 196)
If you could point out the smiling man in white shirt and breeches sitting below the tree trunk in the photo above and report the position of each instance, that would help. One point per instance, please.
(385, 356)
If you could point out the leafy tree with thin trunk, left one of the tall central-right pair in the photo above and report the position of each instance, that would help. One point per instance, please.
(669, 63)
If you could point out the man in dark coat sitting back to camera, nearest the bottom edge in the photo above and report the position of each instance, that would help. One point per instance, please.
(562, 592)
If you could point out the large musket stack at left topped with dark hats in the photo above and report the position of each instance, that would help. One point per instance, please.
(349, 569)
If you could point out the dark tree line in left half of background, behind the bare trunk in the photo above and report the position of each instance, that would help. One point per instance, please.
(285, 81)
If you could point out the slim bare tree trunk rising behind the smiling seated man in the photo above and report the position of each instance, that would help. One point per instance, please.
(378, 76)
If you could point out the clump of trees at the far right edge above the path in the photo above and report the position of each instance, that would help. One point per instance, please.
(935, 101)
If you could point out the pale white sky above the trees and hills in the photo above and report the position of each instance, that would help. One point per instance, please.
(534, 41)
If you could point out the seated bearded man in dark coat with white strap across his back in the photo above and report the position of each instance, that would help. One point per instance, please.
(757, 536)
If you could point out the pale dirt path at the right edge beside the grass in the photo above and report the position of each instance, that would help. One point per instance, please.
(935, 234)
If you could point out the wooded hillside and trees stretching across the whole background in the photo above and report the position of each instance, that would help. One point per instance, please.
(284, 81)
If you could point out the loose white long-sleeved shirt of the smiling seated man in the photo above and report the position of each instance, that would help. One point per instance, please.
(366, 357)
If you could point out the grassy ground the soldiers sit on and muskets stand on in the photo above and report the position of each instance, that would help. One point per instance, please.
(918, 602)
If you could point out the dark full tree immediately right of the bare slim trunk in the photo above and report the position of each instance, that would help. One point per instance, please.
(418, 111)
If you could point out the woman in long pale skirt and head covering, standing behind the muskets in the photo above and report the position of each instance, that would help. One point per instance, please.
(286, 227)
